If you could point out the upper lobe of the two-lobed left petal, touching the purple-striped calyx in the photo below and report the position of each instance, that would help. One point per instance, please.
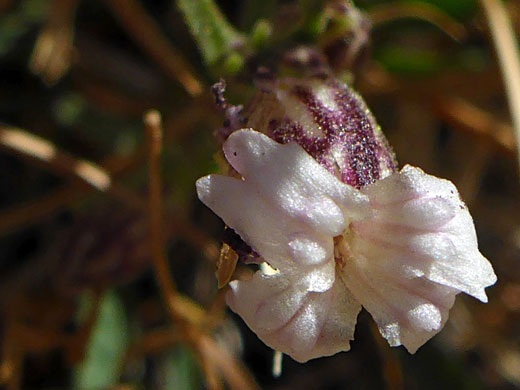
(294, 181)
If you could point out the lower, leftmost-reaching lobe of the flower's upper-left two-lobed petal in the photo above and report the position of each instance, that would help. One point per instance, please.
(285, 243)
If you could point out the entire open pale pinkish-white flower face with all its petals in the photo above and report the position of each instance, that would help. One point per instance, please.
(402, 247)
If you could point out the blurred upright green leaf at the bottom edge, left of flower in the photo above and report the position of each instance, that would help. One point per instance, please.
(106, 348)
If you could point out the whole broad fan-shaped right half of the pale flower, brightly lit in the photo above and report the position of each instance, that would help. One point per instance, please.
(411, 257)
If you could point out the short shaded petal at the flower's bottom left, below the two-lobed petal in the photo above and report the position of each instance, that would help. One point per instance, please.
(290, 318)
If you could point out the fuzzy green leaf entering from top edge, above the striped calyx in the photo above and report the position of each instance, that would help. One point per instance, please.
(216, 37)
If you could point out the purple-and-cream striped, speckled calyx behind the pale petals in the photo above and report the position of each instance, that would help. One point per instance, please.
(330, 121)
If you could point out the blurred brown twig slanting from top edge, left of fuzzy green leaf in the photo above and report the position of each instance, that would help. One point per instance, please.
(145, 31)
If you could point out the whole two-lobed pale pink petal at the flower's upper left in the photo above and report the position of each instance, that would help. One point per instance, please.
(285, 214)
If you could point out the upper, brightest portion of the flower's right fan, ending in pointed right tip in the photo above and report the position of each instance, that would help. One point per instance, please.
(421, 227)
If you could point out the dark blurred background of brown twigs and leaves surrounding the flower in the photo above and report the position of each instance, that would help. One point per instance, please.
(92, 297)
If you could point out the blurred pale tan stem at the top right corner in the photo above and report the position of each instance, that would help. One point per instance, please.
(508, 57)
